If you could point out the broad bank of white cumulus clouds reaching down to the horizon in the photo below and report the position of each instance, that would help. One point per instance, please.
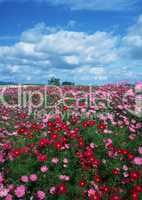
(44, 51)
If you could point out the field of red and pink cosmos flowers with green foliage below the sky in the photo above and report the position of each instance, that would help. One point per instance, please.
(75, 145)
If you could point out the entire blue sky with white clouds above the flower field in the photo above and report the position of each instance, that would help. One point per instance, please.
(85, 41)
